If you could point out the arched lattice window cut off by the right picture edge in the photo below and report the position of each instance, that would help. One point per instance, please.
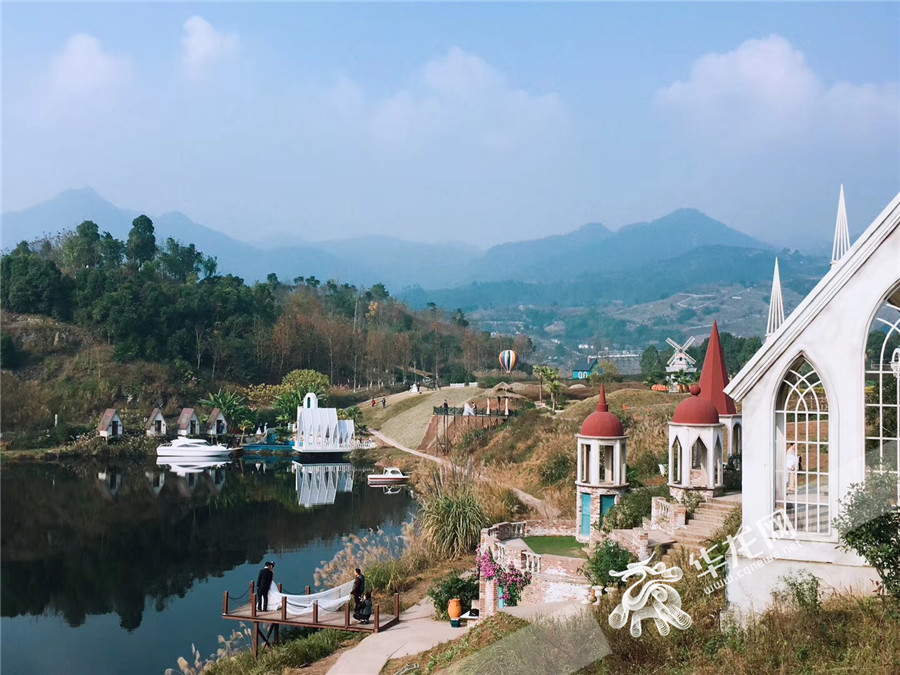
(882, 389)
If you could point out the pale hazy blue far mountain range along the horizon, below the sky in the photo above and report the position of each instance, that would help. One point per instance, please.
(590, 250)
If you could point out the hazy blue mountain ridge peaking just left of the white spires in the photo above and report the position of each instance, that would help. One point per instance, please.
(594, 247)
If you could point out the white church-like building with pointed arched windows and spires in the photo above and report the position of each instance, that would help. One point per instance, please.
(820, 410)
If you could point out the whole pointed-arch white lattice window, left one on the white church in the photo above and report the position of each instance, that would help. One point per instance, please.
(802, 480)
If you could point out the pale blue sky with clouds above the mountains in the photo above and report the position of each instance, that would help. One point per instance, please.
(472, 122)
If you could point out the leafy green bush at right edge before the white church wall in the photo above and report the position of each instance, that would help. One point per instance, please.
(870, 525)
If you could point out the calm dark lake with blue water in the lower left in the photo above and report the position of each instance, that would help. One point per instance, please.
(120, 567)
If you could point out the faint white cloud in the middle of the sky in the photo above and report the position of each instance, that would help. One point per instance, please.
(459, 95)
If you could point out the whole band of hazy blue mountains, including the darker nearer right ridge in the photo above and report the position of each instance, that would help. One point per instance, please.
(602, 263)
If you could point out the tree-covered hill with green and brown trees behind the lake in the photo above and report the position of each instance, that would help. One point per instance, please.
(166, 302)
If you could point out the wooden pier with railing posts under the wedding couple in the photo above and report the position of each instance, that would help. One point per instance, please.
(276, 618)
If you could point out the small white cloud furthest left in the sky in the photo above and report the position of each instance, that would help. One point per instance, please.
(84, 73)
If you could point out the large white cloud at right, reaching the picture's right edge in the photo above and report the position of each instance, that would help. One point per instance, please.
(765, 90)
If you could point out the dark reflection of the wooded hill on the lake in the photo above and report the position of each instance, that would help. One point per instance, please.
(83, 538)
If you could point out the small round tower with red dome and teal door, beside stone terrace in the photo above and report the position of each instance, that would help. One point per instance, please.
(600, 478)
